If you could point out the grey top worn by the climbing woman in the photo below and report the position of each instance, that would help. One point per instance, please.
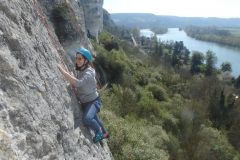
(86, 85)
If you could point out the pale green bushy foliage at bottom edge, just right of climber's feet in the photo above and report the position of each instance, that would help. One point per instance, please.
(144, 141)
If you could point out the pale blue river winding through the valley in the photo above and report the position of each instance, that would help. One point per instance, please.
(224, 53)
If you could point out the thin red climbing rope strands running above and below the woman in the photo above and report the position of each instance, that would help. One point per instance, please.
(91, 63)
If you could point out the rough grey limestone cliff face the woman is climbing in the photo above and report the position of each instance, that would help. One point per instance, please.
(39, 113)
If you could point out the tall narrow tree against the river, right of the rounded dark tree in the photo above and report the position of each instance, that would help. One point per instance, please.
(211, 60)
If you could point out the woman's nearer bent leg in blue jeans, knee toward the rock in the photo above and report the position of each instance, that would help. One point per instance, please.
(89, 117)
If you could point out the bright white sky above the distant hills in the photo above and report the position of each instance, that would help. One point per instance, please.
(181, 8)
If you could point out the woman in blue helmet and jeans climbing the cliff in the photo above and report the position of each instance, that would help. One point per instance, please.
(85, 83)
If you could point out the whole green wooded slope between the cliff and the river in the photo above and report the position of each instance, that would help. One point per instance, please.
(162, 111)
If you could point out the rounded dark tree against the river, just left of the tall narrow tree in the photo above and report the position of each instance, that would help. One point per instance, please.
(196, 60)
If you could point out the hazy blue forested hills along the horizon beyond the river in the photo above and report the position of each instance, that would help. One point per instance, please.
(147, 20)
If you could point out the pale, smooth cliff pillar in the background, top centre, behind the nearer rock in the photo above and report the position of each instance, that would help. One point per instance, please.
(93, 16)
